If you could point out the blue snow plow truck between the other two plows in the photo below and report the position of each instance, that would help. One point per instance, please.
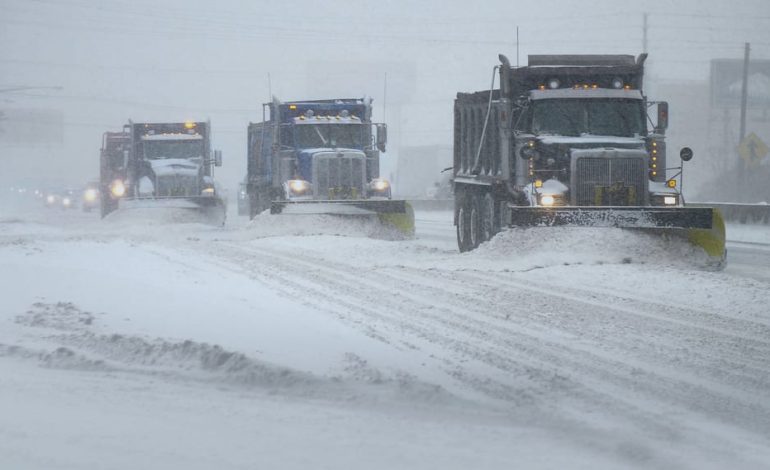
(322, 157)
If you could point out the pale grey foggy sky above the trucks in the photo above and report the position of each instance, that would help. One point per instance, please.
(197, 59)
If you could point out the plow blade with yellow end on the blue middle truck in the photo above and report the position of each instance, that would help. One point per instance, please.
(396, 214)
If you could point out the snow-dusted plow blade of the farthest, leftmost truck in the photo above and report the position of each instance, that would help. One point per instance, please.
(208, 210)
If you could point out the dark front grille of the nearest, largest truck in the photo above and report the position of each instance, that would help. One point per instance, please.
(609, 178)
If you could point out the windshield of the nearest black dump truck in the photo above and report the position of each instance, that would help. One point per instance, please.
(575, 117)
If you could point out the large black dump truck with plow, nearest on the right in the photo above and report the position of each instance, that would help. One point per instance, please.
(565, 141)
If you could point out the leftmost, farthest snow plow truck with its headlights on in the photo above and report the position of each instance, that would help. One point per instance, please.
(162, 166)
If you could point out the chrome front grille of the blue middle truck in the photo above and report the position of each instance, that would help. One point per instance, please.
(339, 177)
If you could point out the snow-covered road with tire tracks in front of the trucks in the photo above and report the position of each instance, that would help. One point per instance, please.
(281, 344)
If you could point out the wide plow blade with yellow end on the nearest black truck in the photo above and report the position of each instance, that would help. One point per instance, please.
(701, 226)
